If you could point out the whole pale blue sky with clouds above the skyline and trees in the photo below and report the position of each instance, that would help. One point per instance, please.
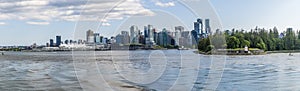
(24, 22)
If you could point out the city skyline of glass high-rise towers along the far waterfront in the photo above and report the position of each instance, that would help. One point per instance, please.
(150, 36)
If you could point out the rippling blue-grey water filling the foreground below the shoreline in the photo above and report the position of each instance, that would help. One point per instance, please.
(159, 70)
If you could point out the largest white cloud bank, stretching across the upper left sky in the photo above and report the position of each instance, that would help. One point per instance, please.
(57, 10)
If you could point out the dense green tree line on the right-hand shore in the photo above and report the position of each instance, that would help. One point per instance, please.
(268, 40)
